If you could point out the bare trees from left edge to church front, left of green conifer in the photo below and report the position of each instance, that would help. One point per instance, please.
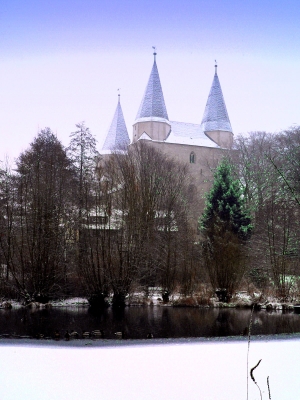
(75, 224)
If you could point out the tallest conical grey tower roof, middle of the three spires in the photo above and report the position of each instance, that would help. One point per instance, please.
(153, 103)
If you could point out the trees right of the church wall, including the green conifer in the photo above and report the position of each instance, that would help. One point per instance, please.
(251, 222)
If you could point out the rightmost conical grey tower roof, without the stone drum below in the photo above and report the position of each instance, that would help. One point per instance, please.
(215, 116)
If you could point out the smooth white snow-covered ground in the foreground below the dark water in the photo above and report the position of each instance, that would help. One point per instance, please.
(157, 370)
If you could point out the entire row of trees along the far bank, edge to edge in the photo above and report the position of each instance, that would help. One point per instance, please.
(73, 223)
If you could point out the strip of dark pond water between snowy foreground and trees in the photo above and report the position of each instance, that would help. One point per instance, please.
(137, 322)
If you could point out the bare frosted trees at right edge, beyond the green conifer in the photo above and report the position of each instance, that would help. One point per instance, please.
(268, 165)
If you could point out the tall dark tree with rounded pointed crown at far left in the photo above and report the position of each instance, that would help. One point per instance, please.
(34, 241)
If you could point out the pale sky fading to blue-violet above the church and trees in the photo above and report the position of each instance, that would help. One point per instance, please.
(62, 62)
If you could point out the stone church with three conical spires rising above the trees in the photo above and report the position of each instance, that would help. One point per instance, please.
(201, 146)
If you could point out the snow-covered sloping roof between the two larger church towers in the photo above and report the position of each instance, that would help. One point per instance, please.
(187, 133)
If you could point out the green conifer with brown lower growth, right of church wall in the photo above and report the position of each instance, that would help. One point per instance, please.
(225, 226)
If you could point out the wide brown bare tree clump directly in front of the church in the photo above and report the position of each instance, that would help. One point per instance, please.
(150, 206)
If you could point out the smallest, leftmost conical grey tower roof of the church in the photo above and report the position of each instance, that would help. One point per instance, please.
(117, 136)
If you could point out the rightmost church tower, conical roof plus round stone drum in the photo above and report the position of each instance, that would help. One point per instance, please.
(215, 122)
